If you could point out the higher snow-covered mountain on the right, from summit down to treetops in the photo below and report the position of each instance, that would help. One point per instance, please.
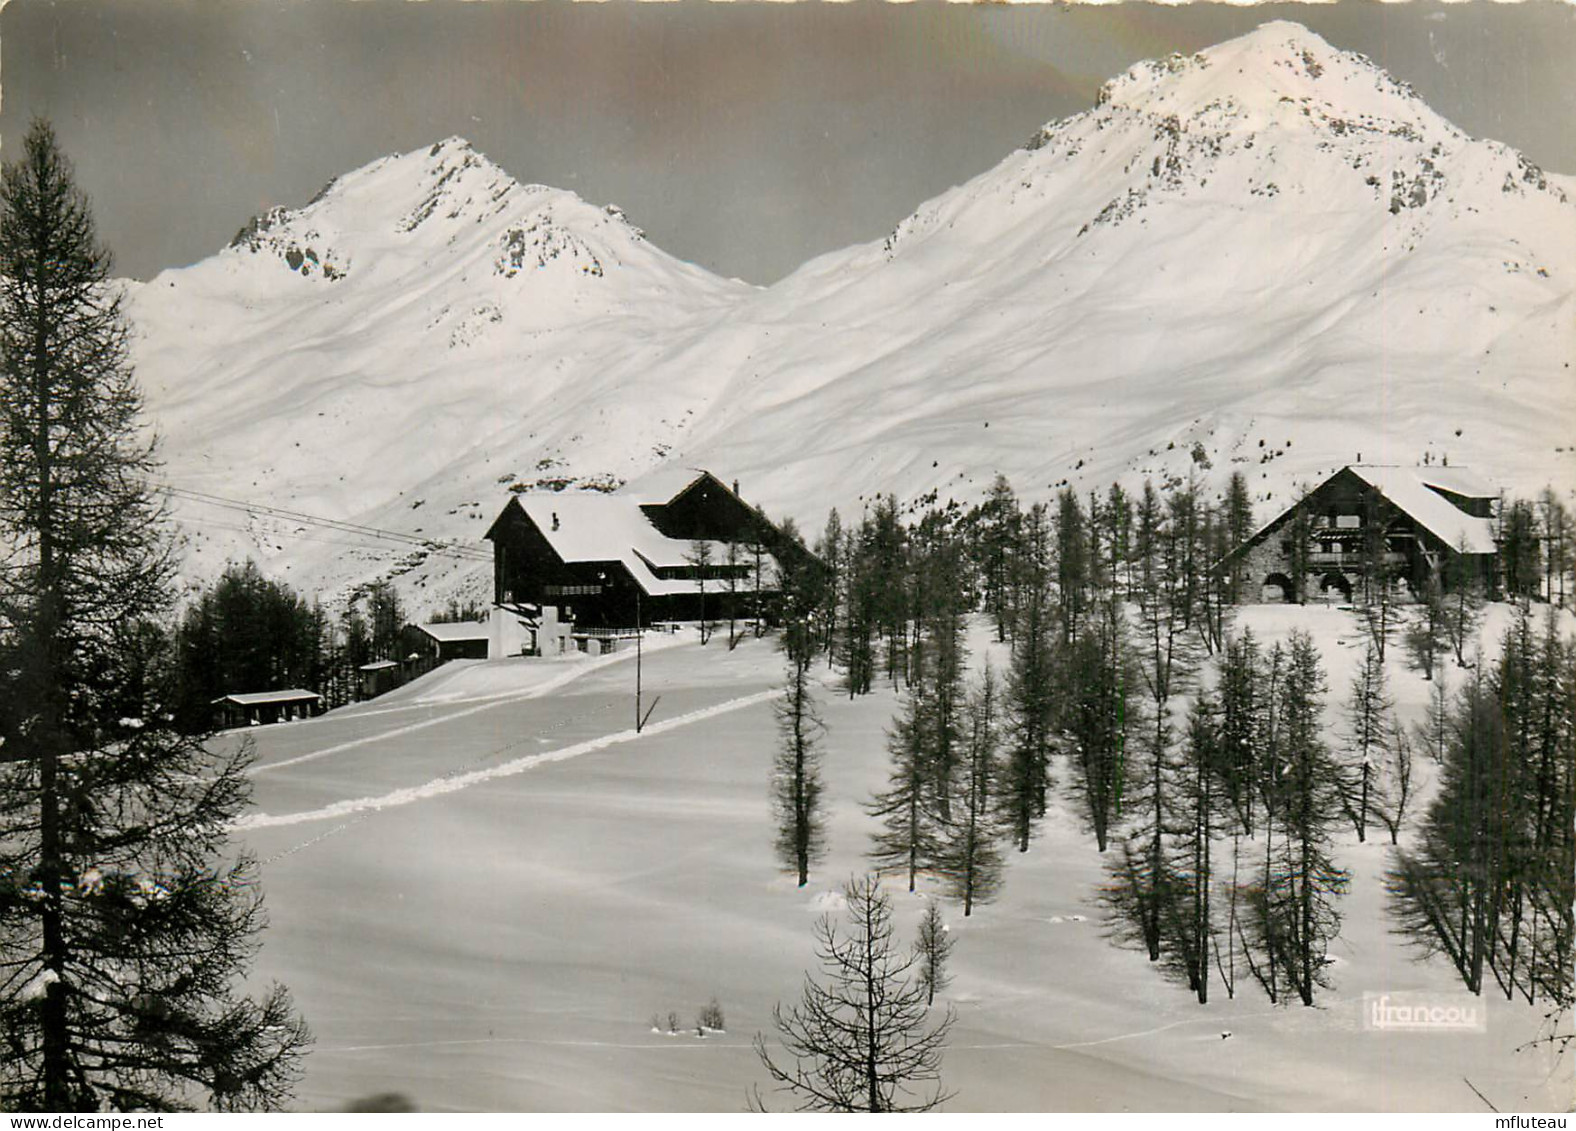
(1268, 242)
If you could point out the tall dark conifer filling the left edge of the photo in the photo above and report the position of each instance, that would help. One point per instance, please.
(125, 921)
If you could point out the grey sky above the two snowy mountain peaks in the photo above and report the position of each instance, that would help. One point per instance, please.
(746, 138)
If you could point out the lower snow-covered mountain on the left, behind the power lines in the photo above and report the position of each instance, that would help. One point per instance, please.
(425, 332)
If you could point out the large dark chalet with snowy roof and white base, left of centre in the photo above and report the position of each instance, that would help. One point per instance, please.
(582, 565)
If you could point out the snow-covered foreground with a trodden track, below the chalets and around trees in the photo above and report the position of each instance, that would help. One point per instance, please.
(483, 902)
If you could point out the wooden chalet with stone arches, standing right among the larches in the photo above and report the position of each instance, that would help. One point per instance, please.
(1430, 521)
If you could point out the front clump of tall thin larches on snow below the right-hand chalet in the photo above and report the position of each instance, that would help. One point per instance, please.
(1228, 864)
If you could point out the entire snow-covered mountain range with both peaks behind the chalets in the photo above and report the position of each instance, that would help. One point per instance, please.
(1271, 250)
